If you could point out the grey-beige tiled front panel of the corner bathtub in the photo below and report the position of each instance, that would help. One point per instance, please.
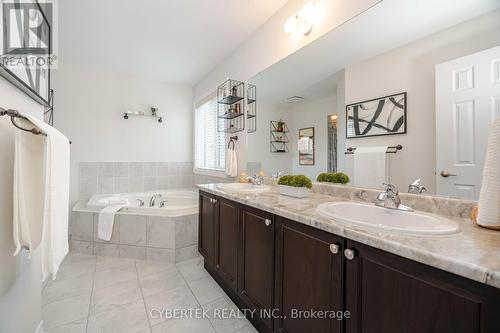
(156, 238)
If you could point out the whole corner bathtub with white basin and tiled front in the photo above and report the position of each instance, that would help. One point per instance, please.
(168, 234)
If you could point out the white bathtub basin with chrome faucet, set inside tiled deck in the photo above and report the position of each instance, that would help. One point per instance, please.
(179, 202)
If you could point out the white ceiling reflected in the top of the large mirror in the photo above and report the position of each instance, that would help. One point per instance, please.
(315, 70)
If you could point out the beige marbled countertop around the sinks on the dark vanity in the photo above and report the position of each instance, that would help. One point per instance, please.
(473, 253)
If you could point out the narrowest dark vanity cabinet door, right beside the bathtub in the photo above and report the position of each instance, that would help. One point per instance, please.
(206, 226)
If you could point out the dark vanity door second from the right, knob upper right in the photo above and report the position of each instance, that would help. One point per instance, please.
(309, 276)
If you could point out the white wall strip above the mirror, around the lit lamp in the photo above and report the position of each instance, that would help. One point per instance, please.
(269, 45)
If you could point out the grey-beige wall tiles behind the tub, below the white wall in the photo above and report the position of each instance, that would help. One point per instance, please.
(123, 177)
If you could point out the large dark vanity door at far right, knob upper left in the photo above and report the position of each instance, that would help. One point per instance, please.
(390, 294)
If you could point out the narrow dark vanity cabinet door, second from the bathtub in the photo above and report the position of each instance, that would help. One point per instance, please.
(227, 241)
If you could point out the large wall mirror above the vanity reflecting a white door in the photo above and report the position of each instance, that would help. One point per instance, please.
(432, 92)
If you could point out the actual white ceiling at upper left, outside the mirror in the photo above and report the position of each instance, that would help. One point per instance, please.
(167, 40)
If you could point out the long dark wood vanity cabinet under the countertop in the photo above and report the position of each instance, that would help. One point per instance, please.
(280, 267)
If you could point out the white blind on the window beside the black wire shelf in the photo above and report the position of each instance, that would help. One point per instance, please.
(210, 143)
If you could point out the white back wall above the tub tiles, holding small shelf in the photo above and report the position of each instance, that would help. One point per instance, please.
(89, 108)
